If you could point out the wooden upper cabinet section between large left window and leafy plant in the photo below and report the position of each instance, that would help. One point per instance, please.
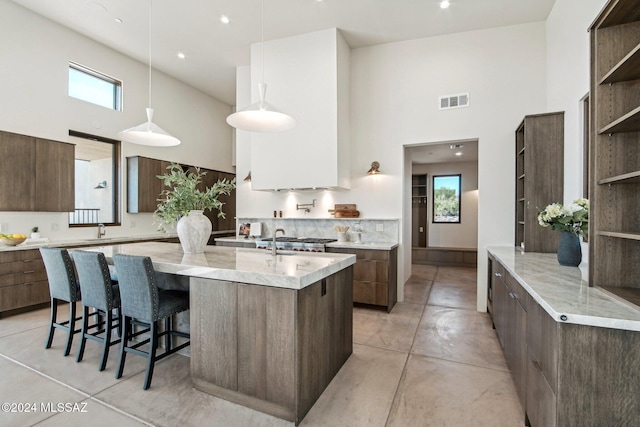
(143, 185)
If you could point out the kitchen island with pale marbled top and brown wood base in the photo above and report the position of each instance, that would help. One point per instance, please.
(267, 332)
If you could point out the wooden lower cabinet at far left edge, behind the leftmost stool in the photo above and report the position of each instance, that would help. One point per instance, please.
(23, 280)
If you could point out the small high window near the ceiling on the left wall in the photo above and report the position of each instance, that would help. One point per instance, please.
(92, 86)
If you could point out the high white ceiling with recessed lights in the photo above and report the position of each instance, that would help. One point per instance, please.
(213, 49)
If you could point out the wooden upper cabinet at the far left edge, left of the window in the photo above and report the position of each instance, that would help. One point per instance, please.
(36, 174)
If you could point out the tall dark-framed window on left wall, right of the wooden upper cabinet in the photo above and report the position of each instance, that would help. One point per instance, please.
(96, 181)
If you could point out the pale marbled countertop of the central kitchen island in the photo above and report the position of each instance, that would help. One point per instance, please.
(293, 270)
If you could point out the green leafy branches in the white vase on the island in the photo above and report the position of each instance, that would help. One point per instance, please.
(183, 193)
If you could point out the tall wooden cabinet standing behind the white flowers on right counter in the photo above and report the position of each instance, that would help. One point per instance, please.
(539, 178)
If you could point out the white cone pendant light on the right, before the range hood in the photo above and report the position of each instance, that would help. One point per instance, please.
(261, 116)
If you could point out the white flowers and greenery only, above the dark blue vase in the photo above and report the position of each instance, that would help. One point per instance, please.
(573, 218)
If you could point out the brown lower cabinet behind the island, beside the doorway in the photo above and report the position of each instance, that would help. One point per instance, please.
(374, 276)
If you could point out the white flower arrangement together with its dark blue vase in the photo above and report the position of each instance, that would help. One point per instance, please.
(572, 220)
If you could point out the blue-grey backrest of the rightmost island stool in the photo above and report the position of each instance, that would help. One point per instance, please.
(138, 287)
